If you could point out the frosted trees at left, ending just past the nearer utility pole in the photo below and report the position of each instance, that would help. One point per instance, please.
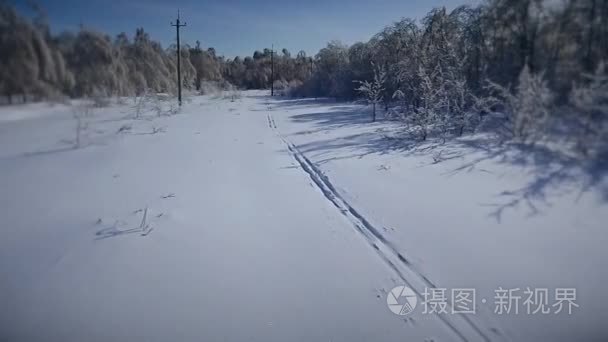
(34, 64)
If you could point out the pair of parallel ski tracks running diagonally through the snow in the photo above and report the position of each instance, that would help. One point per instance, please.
(461, 324)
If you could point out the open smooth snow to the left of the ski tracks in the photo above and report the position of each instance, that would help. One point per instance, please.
(209, 228)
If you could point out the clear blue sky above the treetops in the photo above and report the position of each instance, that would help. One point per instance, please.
(239, 27)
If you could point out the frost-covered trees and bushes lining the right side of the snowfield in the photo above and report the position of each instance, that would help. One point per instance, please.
(531, 65)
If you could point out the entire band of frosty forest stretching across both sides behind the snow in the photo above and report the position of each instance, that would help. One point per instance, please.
(531, 60)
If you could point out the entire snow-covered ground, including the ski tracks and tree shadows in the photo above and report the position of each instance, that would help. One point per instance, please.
(279, 220)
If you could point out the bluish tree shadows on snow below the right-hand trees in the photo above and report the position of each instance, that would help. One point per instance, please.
(551, 173)
